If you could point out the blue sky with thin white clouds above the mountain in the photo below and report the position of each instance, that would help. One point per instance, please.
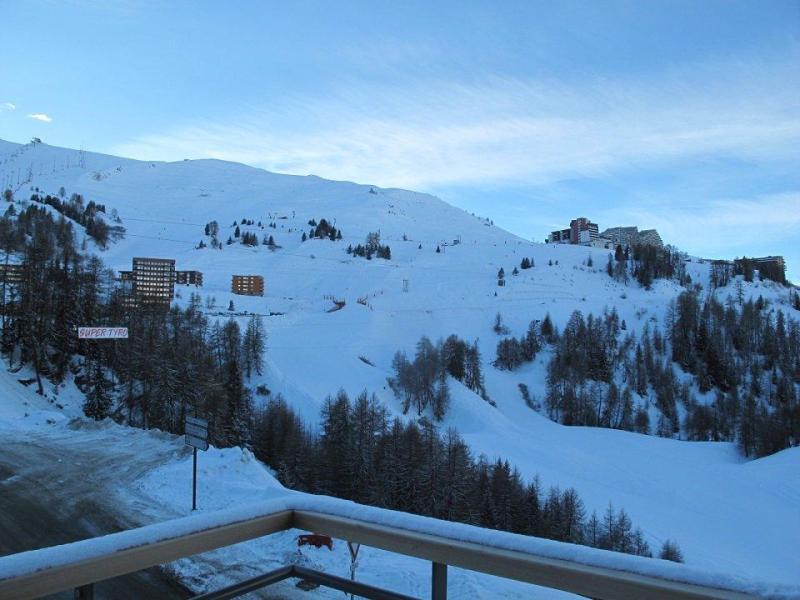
(683, 116)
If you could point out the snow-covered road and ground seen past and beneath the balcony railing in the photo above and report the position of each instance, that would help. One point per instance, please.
(62, 483)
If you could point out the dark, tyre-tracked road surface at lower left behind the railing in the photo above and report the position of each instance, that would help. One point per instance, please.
(55, 490)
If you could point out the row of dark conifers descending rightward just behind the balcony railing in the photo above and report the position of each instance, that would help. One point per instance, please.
(362, 455)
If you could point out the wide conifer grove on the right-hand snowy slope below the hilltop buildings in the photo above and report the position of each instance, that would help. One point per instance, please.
(742, 359)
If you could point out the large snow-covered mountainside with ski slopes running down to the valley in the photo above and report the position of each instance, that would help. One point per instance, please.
(726, 513)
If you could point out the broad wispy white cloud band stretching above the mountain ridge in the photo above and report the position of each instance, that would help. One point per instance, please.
(430, 133)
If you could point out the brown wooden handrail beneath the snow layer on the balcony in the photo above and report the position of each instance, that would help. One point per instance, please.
(596, 582)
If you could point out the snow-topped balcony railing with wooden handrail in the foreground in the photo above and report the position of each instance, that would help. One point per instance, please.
(584, 571)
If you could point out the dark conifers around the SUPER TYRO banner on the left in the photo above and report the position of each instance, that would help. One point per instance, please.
(174, 362)
